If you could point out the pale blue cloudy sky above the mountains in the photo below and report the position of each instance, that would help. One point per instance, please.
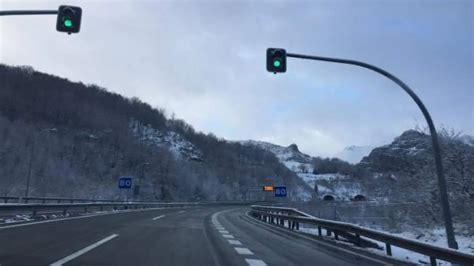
(204, 62)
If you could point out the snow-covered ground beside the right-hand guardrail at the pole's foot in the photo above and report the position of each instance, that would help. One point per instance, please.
(435, 237)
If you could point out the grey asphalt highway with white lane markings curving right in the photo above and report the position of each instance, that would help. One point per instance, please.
(190, 236)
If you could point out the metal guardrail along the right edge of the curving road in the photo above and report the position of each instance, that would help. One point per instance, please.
(293, 217)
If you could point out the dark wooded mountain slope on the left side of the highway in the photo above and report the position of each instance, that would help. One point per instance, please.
(76, 140)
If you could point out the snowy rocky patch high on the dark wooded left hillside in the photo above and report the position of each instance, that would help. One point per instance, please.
(179, 146)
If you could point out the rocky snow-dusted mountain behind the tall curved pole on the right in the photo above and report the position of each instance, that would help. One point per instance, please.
(404, 171)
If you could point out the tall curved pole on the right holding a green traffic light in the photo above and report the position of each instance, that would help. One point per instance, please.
(434, 136)
